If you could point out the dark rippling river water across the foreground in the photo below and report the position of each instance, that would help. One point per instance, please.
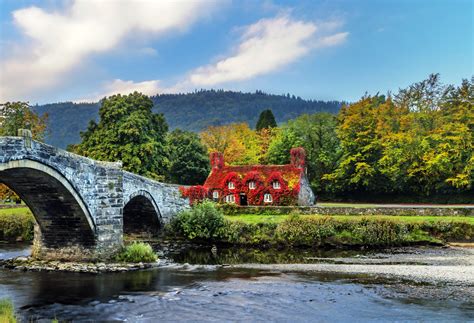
(196, 292)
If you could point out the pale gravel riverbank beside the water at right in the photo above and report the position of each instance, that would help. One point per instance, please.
(451, 265)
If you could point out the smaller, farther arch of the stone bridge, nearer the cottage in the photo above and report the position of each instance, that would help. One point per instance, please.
(141, 214)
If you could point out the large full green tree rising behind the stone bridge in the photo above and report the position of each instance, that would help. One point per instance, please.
(128, 131)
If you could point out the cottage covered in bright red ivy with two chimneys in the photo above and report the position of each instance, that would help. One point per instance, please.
(260, 184)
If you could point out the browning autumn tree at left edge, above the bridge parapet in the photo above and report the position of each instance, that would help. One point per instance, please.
(18, 115)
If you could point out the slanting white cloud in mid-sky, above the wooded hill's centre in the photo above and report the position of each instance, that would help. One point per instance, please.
(264, 47)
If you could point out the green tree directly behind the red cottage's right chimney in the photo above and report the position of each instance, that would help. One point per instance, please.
(316, 133)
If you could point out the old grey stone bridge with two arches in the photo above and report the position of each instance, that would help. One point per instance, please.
(82, 206)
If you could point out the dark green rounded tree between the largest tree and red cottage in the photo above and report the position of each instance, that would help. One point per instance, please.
(189, 161)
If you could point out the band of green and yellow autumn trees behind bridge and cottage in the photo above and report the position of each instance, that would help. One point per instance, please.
(415, 145)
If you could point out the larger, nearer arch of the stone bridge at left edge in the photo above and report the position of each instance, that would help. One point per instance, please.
(62, 216)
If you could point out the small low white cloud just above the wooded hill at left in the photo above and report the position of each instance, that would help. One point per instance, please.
(119, 86)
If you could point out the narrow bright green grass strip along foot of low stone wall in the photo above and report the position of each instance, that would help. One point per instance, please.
(253, 218)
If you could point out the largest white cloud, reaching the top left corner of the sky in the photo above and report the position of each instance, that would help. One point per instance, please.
(61, 40)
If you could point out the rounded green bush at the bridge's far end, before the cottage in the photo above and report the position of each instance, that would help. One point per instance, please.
(203, 221)
